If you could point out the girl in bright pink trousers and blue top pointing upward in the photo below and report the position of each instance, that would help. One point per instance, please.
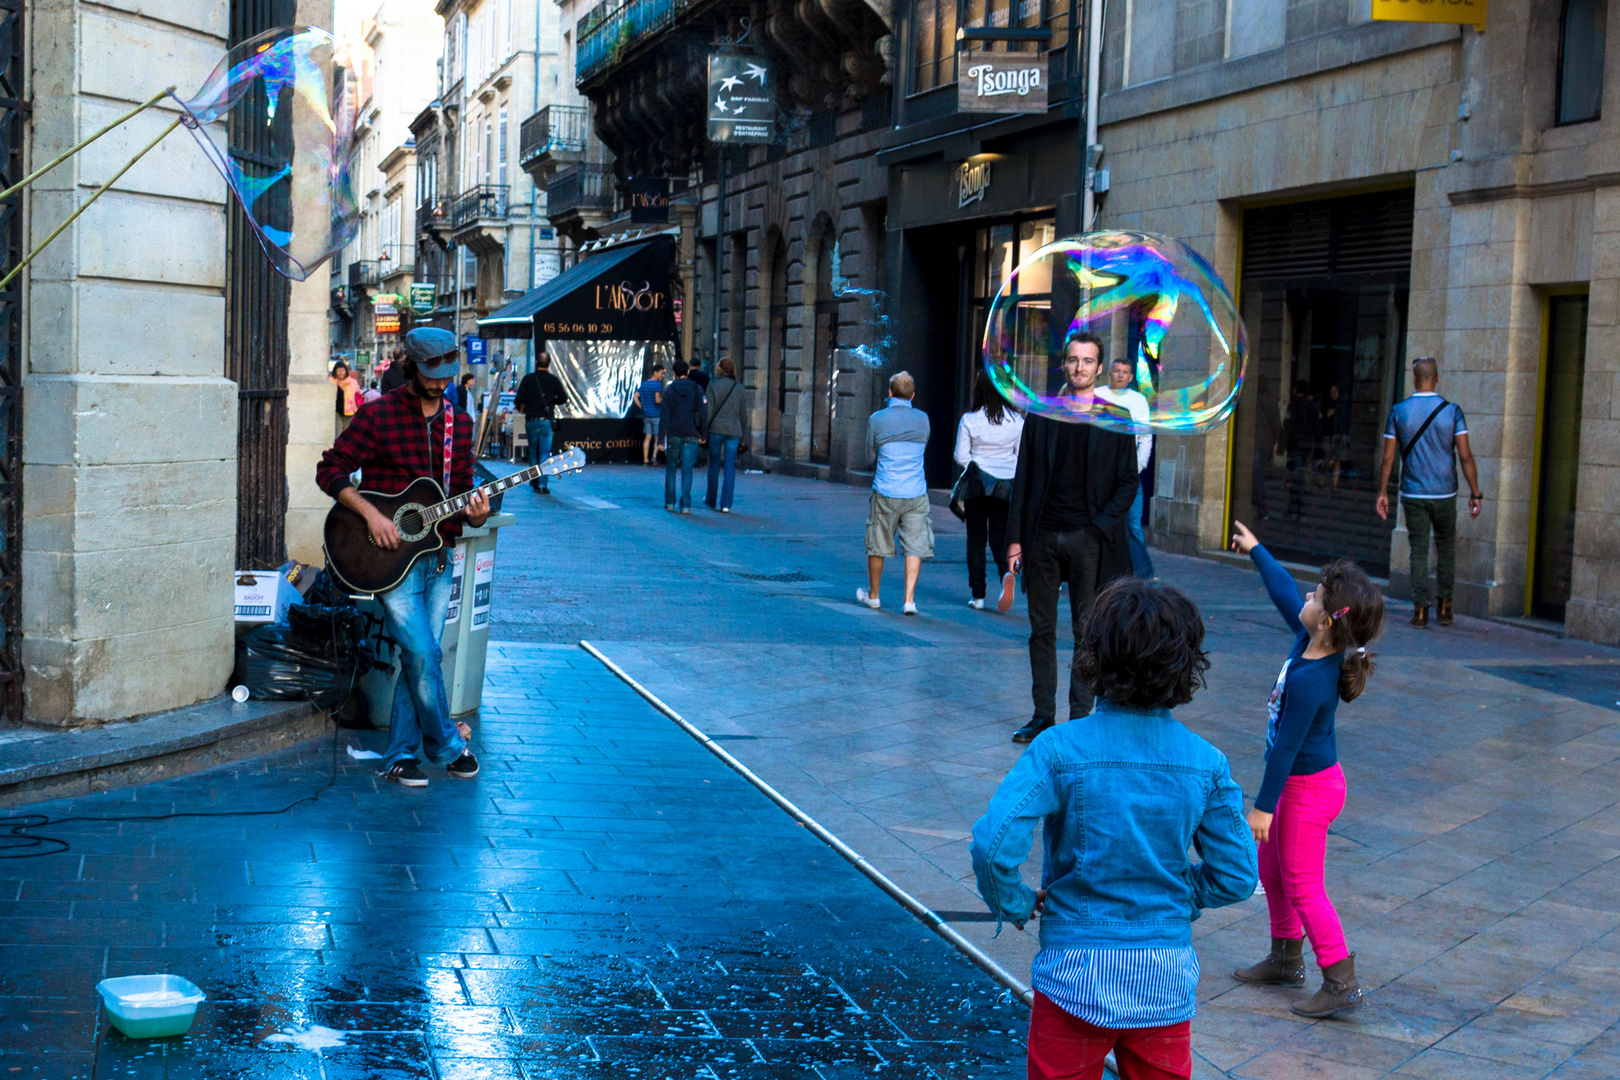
(1305, 786)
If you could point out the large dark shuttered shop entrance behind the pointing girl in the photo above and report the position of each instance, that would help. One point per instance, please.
(1324, 300)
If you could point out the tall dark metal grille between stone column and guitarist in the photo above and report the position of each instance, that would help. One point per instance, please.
(257, 302)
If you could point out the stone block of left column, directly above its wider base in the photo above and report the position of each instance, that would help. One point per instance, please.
(160, 334)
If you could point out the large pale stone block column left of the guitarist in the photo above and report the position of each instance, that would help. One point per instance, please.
(130, 430)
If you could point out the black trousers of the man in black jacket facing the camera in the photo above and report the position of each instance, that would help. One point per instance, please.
(1051, 559)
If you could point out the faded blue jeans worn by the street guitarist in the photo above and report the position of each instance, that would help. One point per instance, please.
(414, 616)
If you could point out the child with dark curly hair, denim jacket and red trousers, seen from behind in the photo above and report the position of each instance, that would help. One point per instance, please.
(1120, 801)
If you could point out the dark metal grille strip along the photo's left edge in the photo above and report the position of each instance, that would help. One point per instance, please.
(14, 113)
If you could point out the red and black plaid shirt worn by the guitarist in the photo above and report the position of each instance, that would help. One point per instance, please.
(394, 444)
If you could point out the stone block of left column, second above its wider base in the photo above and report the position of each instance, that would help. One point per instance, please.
(153, 240)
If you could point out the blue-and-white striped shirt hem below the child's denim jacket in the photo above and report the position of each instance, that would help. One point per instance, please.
(1120, 989)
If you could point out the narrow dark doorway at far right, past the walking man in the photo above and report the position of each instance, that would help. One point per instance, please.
(1558, 457)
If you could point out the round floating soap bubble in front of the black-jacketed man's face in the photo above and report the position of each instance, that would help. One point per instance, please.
(1148, 299)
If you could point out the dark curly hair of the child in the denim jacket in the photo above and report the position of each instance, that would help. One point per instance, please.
(1143, 647)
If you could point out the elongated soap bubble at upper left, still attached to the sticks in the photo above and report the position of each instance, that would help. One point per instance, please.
(278, 124)
